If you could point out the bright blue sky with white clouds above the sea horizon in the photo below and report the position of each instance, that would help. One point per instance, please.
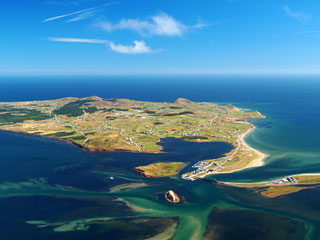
(160, 37)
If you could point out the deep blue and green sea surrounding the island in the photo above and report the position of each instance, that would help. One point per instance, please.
(33, 170)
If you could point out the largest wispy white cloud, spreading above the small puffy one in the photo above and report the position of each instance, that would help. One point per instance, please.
(161, 24)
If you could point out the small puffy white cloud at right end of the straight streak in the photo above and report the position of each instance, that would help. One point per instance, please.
(138, 48)
